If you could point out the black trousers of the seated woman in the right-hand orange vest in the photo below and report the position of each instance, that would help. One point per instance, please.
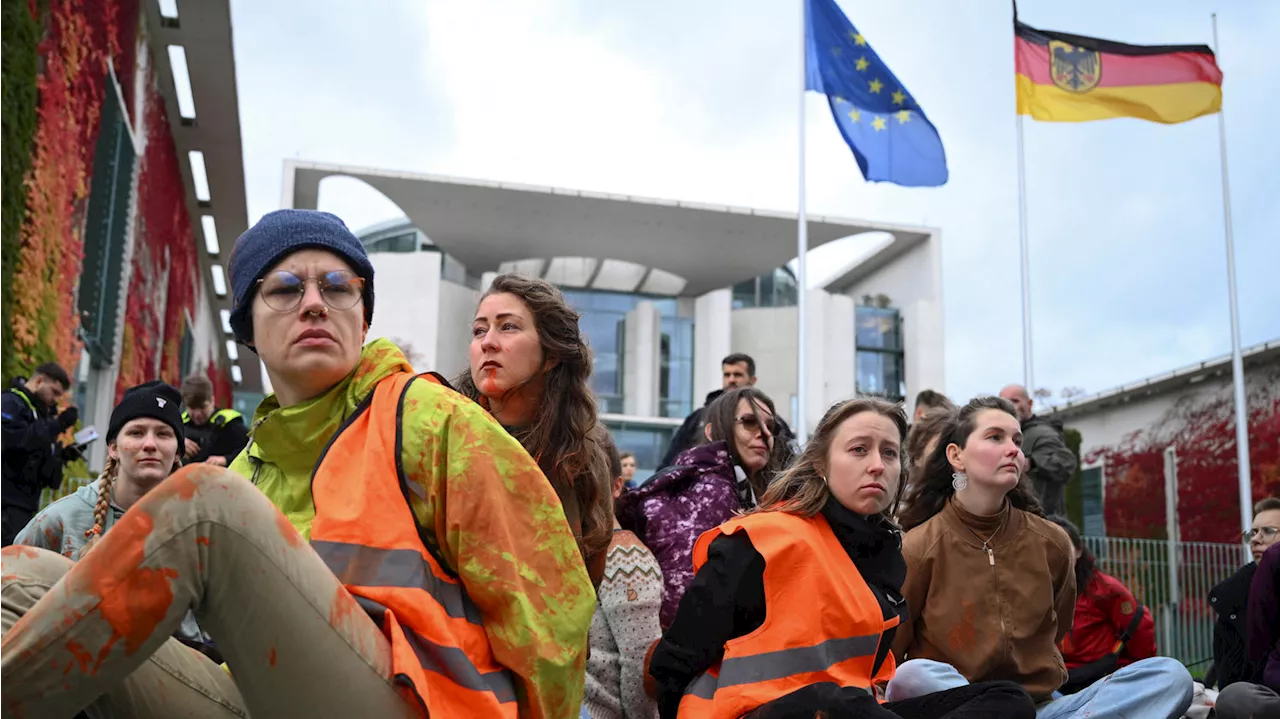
(984, 700)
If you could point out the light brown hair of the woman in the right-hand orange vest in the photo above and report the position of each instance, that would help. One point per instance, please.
(802, 488)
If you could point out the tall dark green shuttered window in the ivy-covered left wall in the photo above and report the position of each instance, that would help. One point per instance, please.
(107, 232)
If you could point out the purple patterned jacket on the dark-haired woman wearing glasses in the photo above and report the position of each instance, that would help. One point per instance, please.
(673, 510)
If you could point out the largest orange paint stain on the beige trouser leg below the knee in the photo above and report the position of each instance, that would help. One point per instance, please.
(135, 599)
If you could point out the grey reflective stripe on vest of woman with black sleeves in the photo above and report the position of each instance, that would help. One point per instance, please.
(784, 663)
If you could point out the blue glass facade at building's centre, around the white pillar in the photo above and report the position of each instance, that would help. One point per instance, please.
(604, 317)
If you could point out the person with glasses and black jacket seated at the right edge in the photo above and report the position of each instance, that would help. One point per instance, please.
(1231, 601)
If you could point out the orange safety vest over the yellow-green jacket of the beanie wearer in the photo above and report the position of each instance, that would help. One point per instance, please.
(368, 537)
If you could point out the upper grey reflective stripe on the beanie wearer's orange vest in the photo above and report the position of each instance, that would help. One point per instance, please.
(371, 567)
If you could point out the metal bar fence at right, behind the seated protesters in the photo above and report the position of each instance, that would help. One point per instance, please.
(1176, 593)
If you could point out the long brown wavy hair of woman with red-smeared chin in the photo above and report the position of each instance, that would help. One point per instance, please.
(565, 437)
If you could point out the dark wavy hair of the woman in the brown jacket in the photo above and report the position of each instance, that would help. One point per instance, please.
(931, 493)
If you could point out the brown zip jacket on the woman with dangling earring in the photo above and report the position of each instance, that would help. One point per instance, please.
(993, 616)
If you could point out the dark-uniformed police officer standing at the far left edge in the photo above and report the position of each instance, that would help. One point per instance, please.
(31, 456)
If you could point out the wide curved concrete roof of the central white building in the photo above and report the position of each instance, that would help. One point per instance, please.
(484, 225)
